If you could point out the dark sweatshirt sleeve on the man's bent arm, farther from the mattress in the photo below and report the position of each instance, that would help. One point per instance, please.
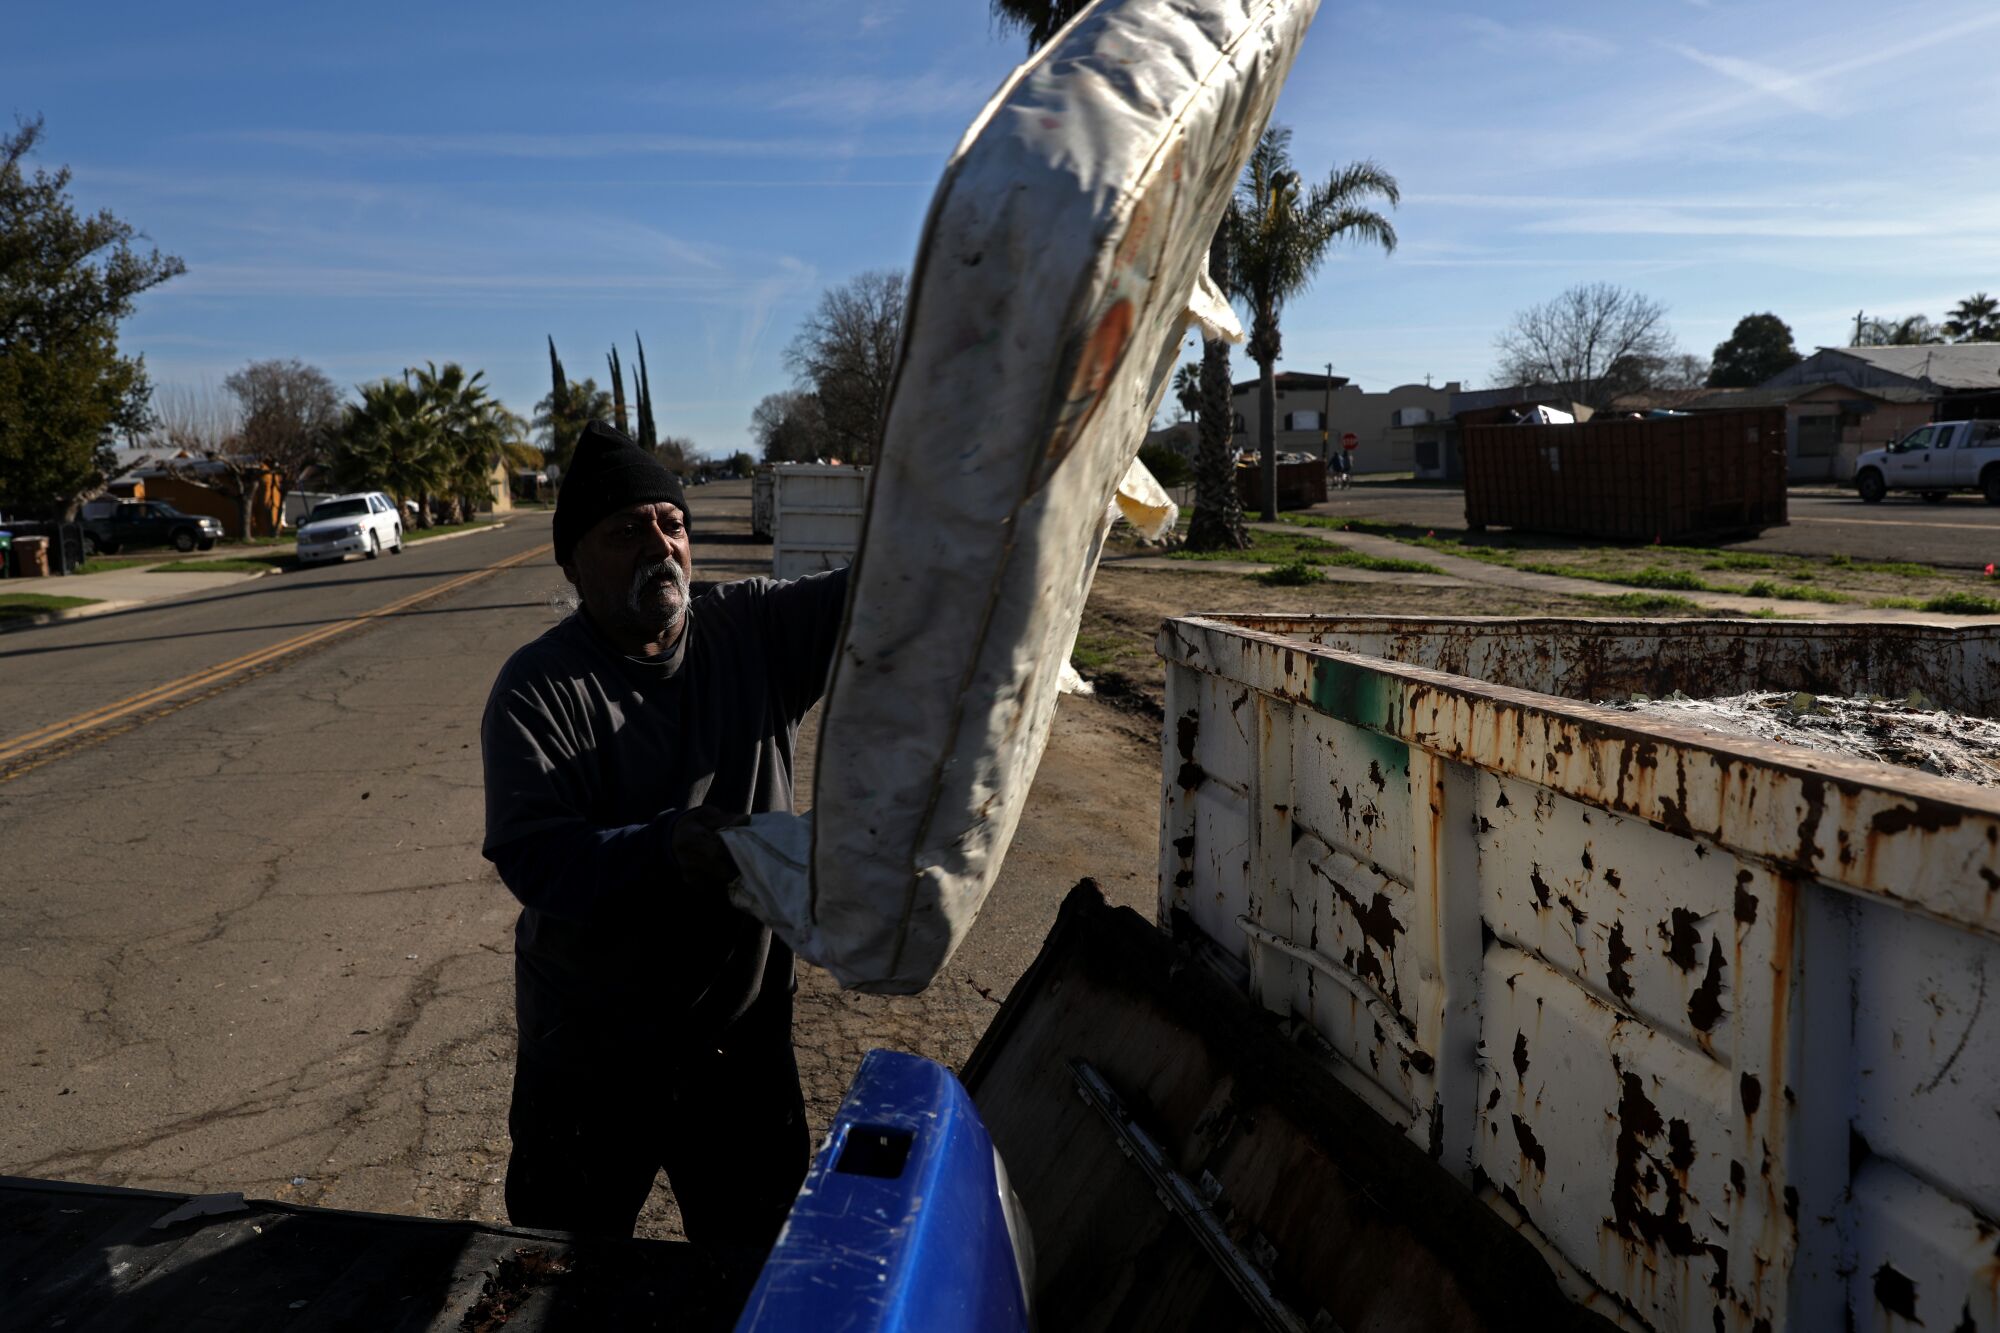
(549, 854)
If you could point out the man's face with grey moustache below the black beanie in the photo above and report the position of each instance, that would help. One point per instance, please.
(633, 571)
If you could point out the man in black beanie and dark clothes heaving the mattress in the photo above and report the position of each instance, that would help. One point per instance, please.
(655, 1020)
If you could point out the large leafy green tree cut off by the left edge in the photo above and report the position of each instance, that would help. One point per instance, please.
(65, 285)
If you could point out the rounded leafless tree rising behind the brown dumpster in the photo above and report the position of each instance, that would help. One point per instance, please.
(1577, 339)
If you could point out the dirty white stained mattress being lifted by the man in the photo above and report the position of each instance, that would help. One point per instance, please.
(1063, 259)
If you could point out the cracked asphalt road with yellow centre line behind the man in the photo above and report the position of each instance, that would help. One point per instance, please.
(247, 940)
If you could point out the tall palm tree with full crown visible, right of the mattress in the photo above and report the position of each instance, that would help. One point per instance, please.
(1279, 235)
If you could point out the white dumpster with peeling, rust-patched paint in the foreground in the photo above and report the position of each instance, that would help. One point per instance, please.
(1707, 1020)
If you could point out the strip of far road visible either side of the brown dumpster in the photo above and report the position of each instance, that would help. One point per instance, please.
(1961, 533)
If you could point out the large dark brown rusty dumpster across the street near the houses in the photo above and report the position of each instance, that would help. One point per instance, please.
(1637, 481)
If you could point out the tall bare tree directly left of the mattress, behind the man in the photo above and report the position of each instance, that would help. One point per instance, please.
(845, 353)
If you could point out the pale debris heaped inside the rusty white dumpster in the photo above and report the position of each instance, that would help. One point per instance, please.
(1909, 732)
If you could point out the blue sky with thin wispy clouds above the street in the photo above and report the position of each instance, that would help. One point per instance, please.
(371, 187)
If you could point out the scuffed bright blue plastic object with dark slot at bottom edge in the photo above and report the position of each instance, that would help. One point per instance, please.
(905, 1222)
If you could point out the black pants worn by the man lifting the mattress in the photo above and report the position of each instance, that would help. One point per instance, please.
(729, 1128)
